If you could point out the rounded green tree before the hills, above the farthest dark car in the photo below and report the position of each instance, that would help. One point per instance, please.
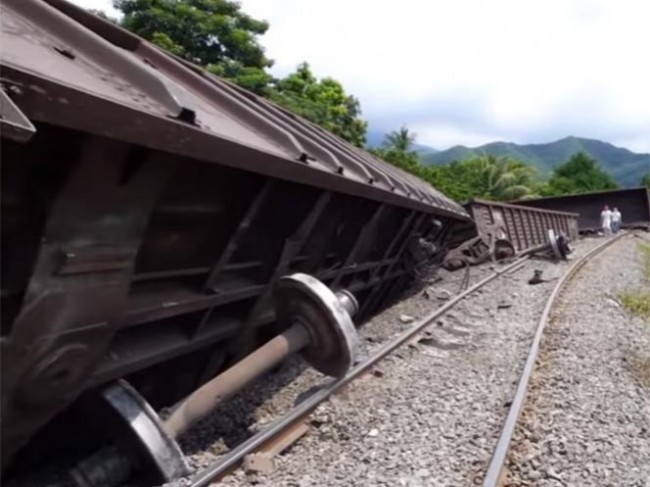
(580, 174)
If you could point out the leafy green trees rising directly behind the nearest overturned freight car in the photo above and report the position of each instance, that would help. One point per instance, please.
(217, 35)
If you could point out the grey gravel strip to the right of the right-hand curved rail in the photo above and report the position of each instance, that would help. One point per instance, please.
(587, 420)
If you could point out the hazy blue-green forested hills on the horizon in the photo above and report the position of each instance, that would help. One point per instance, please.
(625, 166)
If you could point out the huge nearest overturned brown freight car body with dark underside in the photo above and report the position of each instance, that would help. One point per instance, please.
(149, 208)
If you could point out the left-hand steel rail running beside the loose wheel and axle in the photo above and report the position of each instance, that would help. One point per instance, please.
(232, 458)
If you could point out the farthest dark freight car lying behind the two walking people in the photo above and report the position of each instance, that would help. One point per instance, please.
(633, 203)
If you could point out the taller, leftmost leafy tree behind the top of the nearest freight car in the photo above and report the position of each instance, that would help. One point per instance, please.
(215, 34)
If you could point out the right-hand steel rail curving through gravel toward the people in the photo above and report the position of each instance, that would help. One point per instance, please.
(497, 463)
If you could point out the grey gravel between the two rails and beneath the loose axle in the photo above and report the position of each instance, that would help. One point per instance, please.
(428, 415)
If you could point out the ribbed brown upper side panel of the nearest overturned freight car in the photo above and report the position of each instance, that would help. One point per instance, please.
(62, 63)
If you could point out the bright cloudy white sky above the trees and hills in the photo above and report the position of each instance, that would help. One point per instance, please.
(470, 72)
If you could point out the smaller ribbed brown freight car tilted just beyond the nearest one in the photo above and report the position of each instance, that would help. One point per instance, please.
(523, 227)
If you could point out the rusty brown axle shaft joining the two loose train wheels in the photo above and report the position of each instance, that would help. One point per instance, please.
(205, 399)
